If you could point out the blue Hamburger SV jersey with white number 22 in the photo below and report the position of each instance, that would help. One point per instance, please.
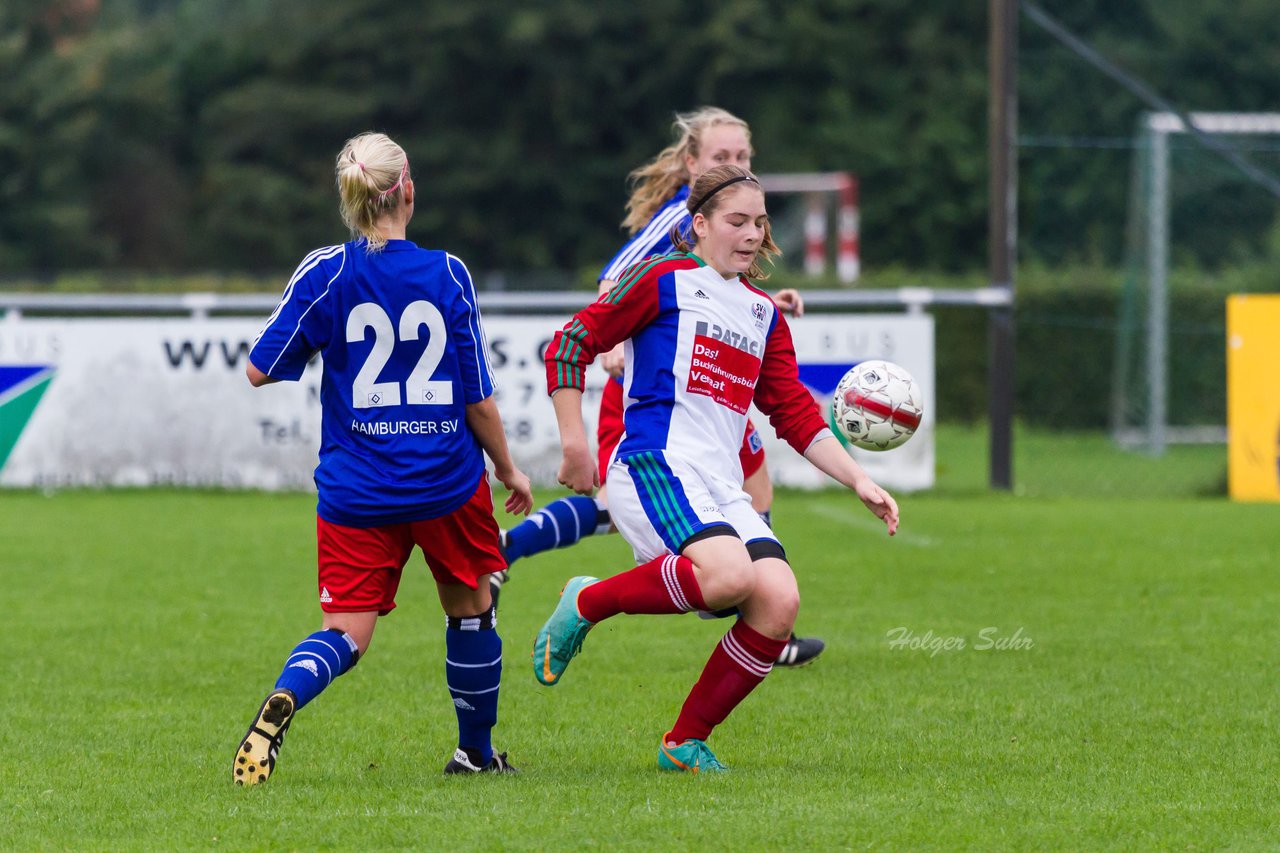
(404, 354)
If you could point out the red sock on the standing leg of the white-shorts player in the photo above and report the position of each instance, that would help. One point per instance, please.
(740, 662)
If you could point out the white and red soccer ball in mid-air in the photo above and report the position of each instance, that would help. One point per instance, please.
(877, 405)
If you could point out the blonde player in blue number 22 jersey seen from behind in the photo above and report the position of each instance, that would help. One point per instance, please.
(408, 417)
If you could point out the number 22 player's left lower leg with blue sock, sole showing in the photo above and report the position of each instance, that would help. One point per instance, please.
(313, 667)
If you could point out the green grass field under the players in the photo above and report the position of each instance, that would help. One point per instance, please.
(144, 628)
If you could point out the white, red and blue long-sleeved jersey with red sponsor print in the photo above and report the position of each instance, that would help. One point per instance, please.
(700, 350)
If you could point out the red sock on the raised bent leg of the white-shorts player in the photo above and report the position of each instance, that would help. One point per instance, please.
(662, 586)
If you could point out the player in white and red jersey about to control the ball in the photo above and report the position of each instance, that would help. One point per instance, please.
(702, 345)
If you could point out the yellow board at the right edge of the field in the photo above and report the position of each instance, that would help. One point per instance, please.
(1254, 396)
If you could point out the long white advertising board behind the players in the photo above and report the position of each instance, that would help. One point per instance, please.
(166, 402)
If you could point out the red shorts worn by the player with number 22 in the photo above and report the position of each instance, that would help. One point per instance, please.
(360, 568)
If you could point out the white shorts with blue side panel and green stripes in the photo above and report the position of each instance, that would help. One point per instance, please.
(659, 505)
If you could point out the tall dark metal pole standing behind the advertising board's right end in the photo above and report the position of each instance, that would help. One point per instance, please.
(1003, 232)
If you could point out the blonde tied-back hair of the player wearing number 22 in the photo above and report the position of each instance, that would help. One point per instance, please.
(372, 176)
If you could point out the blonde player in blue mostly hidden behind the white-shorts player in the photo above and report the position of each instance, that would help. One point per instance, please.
(706, 138)
